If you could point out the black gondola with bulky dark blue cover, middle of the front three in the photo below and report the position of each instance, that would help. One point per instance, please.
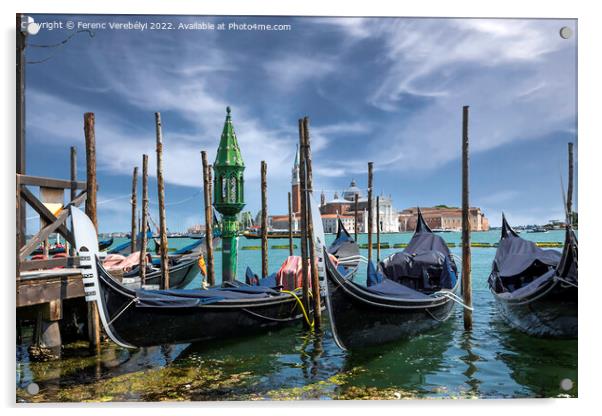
(412, 291)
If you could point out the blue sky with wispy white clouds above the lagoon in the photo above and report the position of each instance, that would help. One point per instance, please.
(386, 90)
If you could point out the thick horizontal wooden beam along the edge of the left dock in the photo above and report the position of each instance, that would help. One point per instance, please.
(38, 291)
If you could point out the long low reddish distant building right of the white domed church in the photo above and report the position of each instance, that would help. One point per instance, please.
(443, 218)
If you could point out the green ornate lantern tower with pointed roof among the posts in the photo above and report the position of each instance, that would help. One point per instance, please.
(228, 197)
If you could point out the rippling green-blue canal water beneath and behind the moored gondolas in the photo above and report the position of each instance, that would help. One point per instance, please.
(492, 361)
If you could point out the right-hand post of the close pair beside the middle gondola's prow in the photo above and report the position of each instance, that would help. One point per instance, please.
(315, 278)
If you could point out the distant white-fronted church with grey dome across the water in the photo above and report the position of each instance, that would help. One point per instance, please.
(386, 219)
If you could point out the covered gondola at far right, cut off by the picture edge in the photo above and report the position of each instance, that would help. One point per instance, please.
(535, 289)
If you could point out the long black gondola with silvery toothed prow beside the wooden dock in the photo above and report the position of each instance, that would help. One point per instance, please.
(139, 318)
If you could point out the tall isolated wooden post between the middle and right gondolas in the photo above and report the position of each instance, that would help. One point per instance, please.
(466, 267)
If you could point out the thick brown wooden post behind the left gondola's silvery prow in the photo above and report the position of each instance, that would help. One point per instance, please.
(91, 187)
